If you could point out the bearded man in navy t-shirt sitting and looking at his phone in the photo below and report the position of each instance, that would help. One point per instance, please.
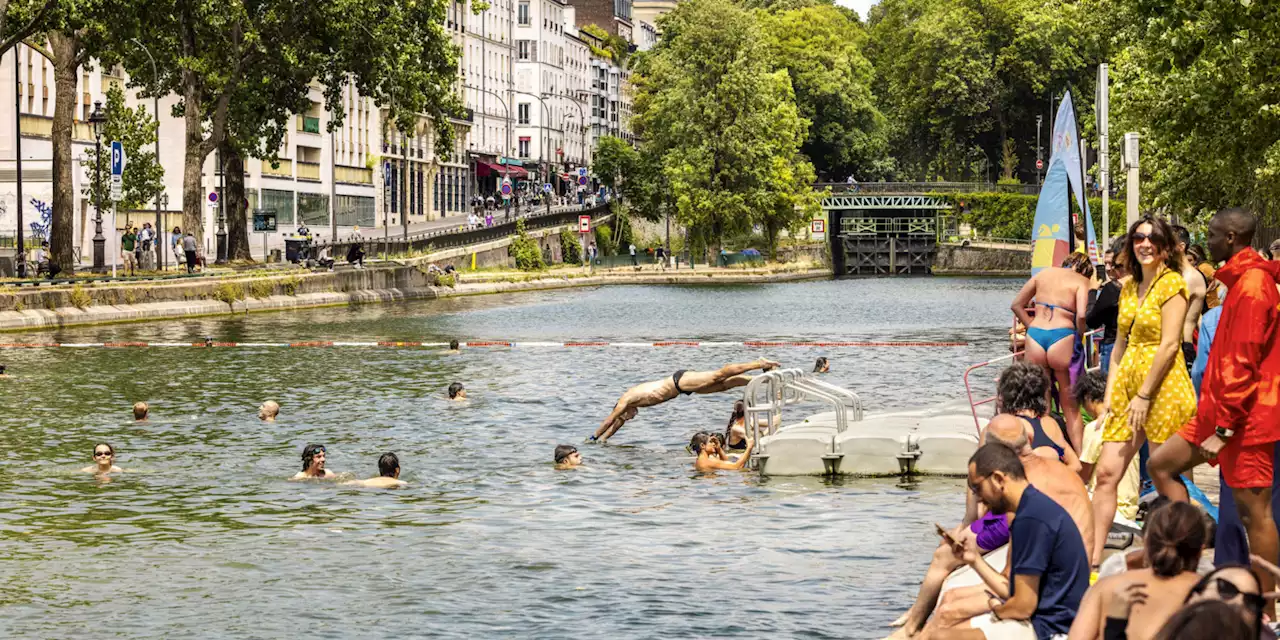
(1048, 563)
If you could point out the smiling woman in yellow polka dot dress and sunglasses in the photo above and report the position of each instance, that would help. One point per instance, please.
(1150, 395)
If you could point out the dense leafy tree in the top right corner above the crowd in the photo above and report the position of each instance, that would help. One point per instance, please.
(1199, 84)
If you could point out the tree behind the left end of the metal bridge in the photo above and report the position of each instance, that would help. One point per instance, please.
(821, 49)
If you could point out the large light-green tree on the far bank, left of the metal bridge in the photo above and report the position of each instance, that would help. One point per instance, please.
(717, 118)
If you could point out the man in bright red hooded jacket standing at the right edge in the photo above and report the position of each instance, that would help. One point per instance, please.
(1237, 422)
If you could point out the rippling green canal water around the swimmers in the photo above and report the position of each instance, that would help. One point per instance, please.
(205, 538)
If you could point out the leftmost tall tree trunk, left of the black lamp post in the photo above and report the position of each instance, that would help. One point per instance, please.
(62, 243)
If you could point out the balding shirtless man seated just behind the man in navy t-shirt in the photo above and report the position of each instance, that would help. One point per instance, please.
(1049, 477)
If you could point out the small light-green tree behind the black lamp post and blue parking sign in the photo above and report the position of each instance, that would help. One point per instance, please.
(136, 130)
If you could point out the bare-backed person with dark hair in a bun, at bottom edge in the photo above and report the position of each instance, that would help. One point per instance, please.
(1144, 600)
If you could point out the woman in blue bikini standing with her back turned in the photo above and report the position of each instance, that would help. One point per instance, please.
(1059, 298)
